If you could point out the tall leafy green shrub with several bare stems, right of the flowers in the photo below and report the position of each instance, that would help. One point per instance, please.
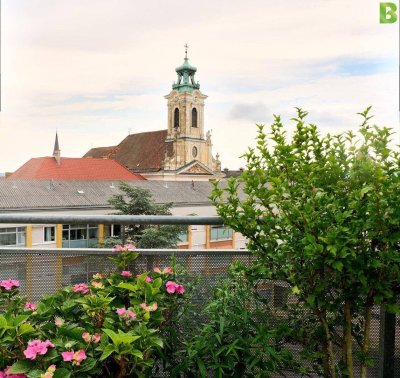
(322, 213)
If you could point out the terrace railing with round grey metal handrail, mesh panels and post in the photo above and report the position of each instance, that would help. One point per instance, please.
(42, 271)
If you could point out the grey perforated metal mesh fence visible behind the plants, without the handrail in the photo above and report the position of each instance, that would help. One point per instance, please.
(45, 271)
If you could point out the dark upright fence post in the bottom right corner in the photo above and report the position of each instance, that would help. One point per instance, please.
(387, 334)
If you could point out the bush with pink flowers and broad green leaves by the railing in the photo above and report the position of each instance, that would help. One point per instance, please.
(110, 326)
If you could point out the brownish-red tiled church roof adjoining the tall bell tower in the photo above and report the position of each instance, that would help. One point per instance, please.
(138, 152)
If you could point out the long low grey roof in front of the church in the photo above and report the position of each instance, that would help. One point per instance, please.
(53, 194)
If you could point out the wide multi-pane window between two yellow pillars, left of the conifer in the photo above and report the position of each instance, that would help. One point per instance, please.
(79, 235)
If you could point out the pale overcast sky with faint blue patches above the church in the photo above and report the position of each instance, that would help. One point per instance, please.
(95, 69)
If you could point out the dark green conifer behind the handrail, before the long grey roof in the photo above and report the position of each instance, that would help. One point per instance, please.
(139, 201)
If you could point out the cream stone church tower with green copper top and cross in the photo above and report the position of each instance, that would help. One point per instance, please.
(188, 142)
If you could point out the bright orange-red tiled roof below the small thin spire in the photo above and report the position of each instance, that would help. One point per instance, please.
(74, 169)
